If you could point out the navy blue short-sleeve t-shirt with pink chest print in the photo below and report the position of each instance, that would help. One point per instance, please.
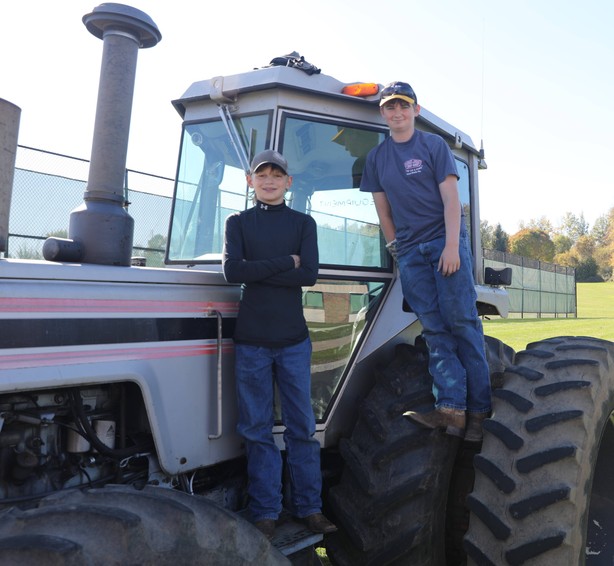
(410, 173)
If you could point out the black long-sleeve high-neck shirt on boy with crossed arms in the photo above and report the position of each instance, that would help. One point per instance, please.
(258, 245)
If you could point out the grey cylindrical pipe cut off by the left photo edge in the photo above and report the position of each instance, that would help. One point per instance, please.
(9, 129)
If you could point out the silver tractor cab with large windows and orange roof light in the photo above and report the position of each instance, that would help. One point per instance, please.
(325, 129)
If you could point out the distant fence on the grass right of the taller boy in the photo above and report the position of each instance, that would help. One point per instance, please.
(538, 288)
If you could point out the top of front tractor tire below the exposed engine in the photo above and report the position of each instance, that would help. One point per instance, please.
(118, 525)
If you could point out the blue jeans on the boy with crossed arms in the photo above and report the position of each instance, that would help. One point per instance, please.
(256, 370)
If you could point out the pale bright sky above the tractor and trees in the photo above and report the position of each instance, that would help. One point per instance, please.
(532, 79)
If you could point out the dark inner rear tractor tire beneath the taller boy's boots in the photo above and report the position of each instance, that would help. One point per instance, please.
(390, 503)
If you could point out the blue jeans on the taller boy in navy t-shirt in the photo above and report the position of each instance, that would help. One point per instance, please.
(452, 328)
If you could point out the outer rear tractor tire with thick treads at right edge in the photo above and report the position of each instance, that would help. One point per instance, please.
(543, 491)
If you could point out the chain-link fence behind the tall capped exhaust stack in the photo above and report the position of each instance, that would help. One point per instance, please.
(48, 186)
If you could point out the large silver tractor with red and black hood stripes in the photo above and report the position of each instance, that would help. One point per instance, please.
(117, 401)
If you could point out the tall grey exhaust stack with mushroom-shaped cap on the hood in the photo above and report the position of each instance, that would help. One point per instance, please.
(100, 230)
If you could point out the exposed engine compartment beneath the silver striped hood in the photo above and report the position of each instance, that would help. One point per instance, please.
(71, 437)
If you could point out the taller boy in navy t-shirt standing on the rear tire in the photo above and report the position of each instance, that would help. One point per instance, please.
(413, 178)
